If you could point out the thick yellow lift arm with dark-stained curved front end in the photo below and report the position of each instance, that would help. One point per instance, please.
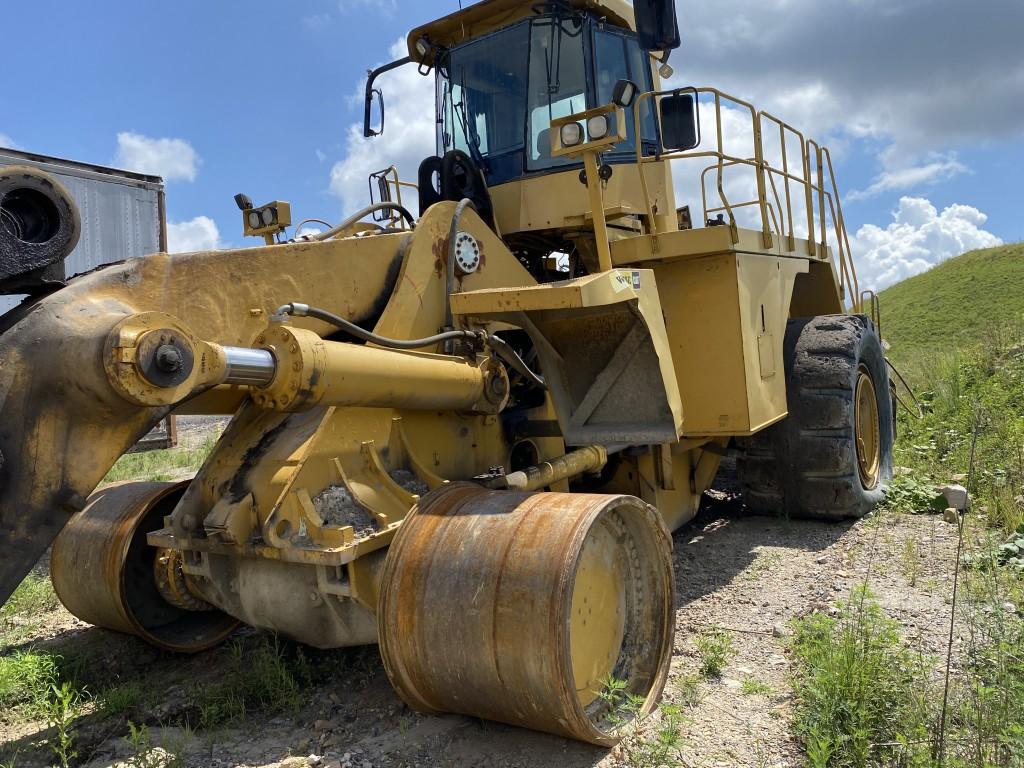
(63, 426)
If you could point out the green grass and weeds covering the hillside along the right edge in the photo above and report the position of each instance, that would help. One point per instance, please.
(864, 697)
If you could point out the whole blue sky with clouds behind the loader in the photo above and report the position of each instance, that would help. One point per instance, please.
(923, 101)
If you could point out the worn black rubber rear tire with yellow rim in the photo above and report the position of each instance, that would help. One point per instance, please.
(831, 458)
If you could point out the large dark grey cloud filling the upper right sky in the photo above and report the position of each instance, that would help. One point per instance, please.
(881, 69)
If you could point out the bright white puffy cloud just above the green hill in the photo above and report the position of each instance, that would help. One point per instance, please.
(919, 238)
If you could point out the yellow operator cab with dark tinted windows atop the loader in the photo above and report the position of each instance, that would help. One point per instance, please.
(504, 71)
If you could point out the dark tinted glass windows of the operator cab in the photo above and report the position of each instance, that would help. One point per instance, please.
(497, 96)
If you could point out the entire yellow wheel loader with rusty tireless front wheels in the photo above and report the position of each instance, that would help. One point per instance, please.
(464, 434)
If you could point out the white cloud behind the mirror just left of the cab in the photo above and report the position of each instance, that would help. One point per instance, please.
(409, 137)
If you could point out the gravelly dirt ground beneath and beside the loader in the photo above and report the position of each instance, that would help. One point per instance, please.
(745, 575)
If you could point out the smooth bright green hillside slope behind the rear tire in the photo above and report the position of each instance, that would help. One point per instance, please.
(958, 304)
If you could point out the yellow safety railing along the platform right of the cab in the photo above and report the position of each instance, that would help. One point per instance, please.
(800, 166)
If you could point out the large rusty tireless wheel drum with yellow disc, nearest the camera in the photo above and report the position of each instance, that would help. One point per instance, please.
(494, 604)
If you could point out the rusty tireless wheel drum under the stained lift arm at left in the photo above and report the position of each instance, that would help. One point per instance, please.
(103, 570)
